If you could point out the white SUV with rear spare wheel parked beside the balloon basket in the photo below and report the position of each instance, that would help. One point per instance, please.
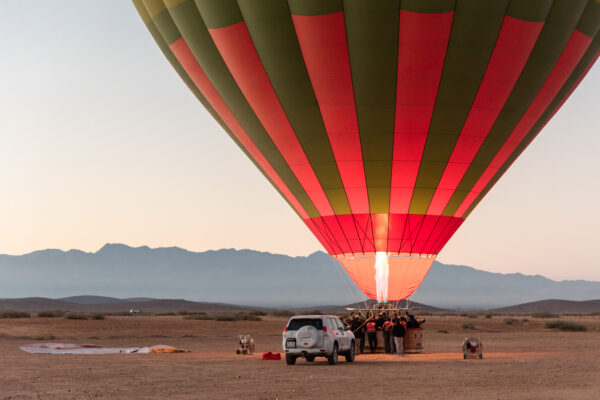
(311, 336)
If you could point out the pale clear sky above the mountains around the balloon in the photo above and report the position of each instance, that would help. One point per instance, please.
(100, 141)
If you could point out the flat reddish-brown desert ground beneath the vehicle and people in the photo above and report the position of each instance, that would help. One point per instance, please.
(521, 361)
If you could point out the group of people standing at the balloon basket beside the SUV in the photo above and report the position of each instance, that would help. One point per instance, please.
(393, 327)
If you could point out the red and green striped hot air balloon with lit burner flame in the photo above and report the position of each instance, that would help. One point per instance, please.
(381, 123)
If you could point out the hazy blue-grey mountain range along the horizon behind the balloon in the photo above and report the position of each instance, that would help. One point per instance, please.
(254, 278)
